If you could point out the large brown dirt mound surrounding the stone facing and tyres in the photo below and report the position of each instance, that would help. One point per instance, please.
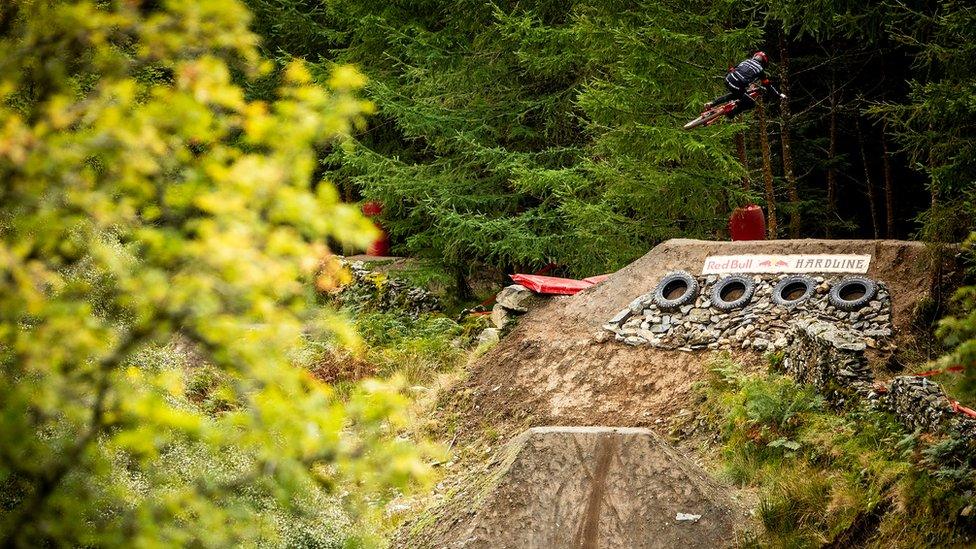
(552, 371)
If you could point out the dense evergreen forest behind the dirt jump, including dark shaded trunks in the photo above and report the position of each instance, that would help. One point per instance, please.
(519, 133)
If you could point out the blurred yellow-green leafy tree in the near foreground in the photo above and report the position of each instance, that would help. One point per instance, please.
(144, 197)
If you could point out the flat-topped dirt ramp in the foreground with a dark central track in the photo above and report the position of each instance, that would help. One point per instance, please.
(589, 487)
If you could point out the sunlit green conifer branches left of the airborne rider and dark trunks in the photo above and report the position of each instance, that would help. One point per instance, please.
(523, 133)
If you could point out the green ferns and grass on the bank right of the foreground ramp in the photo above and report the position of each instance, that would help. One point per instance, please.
(850, 479)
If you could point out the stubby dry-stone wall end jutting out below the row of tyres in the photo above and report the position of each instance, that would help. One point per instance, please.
(829, 358)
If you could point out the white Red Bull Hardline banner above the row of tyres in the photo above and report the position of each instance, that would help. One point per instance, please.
(807, 263)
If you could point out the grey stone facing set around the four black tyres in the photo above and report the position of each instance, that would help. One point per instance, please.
(759, 325)
